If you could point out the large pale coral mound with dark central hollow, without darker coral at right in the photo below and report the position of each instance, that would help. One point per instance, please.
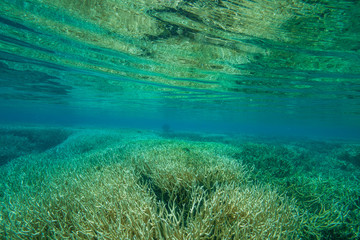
(141, 189)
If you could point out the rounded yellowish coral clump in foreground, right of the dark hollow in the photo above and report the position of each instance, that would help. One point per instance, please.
(244, 212)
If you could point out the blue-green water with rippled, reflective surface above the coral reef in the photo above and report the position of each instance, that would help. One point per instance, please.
(291, 65)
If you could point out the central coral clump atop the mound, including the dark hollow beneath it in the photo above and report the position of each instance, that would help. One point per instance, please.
(172, 169)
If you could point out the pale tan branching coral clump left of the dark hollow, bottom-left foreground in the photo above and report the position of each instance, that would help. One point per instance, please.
(101, 204)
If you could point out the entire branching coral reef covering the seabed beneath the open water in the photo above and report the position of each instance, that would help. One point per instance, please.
(137, 184)
